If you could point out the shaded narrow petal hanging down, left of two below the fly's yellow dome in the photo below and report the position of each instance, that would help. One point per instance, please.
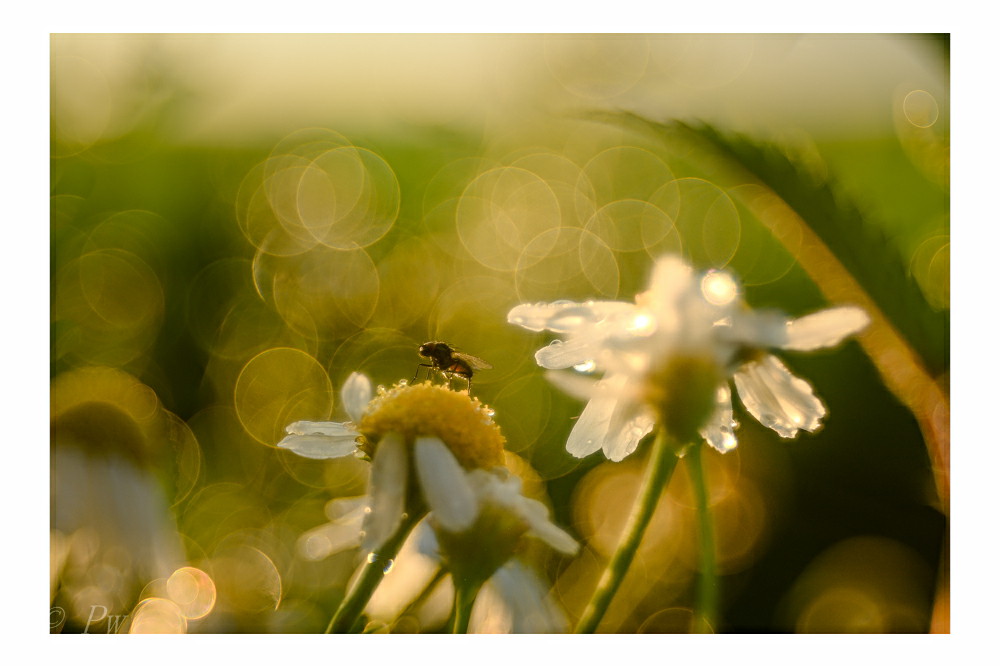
(390, 469)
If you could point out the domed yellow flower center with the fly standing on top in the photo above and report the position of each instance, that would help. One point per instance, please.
(463, 423)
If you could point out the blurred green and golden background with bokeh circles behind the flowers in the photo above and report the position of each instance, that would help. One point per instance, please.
(238, 222)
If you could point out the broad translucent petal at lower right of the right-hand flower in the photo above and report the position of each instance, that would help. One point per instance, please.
(778, 399)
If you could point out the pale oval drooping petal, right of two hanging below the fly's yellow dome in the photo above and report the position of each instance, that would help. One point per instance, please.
(445, 486)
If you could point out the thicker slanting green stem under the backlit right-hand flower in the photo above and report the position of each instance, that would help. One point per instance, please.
(659, 469)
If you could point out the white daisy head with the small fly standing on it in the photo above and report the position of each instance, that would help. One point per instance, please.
(435, 432)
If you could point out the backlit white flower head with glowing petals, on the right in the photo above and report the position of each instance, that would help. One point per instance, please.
(668, 357)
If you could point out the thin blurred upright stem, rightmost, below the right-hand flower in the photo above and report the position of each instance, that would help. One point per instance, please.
(707, 590)
